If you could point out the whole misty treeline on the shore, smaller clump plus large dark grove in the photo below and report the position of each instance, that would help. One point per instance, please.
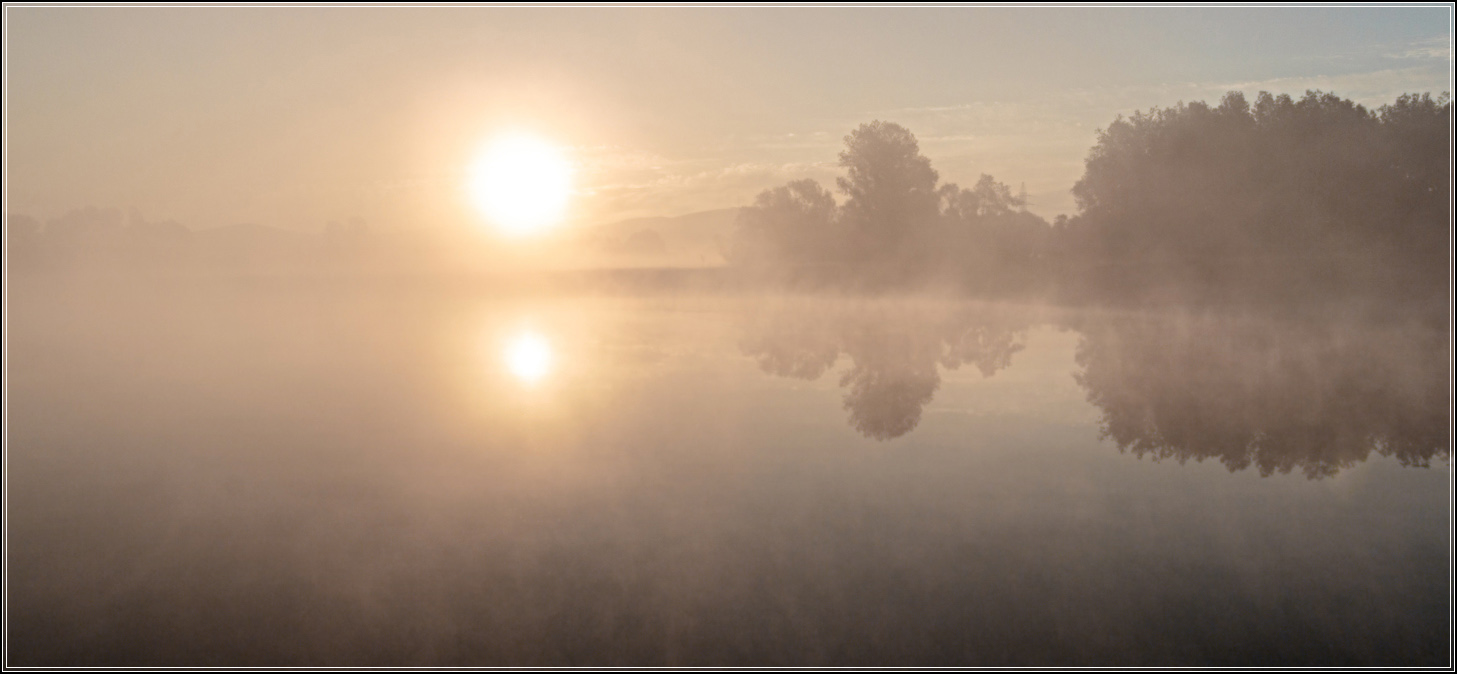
(1277, 202)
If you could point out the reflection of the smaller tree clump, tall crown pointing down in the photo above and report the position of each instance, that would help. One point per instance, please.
(894, 353)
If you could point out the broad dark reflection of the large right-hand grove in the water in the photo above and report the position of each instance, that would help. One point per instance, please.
(1316, 397)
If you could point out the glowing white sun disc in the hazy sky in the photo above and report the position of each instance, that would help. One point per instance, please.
(521, 184)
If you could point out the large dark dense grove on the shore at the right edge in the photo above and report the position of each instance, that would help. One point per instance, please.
(1284, 200)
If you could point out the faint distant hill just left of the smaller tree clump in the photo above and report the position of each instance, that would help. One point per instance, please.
(696, 239)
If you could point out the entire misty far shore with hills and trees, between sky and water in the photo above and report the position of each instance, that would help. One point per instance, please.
(1279, 203)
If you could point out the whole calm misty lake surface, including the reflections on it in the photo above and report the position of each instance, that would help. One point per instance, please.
(276, 475)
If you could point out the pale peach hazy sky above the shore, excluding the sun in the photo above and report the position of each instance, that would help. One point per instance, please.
(296, 117)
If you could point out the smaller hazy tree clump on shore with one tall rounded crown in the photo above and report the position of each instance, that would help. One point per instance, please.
(897, 228)
